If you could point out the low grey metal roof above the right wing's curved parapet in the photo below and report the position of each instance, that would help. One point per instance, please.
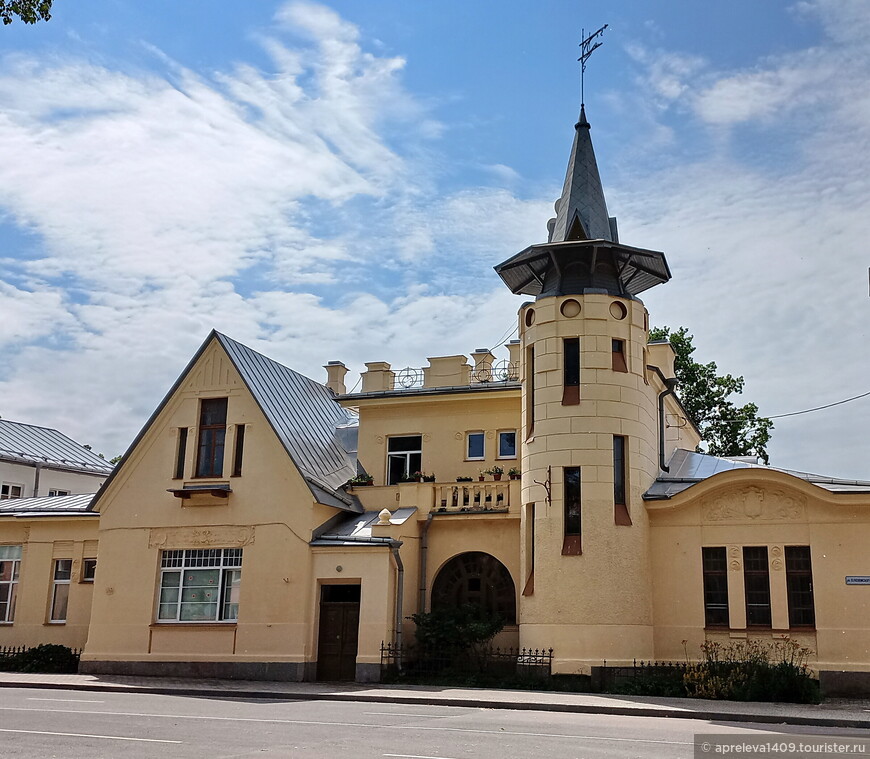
(688, 468)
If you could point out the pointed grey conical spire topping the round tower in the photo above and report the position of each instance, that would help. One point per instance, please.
(581, 212)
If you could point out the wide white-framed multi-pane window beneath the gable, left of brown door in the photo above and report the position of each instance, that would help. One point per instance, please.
(200, 585)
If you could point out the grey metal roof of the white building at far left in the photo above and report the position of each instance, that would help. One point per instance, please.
(29, 444)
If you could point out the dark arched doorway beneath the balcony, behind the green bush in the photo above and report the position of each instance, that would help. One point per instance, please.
(479, 579)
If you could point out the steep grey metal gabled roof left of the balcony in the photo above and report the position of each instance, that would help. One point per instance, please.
(303, 414)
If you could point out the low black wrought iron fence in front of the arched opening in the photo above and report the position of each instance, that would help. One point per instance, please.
(527, 662)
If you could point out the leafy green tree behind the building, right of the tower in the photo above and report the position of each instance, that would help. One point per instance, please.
(726, 428)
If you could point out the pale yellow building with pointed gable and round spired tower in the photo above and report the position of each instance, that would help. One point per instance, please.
(233, 542)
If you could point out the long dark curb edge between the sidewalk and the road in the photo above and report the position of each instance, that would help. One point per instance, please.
(477, 703)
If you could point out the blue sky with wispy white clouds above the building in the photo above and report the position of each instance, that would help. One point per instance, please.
(336, 180)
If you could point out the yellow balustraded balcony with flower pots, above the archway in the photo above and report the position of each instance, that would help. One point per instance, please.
(466, 498)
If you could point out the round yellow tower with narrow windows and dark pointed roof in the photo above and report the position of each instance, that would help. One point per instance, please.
(590, 430)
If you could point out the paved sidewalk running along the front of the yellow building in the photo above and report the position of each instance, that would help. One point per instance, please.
(833, 713)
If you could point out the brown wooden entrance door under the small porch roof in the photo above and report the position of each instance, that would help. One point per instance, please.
(339, 629)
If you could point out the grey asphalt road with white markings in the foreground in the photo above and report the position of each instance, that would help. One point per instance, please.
(37, 723)
